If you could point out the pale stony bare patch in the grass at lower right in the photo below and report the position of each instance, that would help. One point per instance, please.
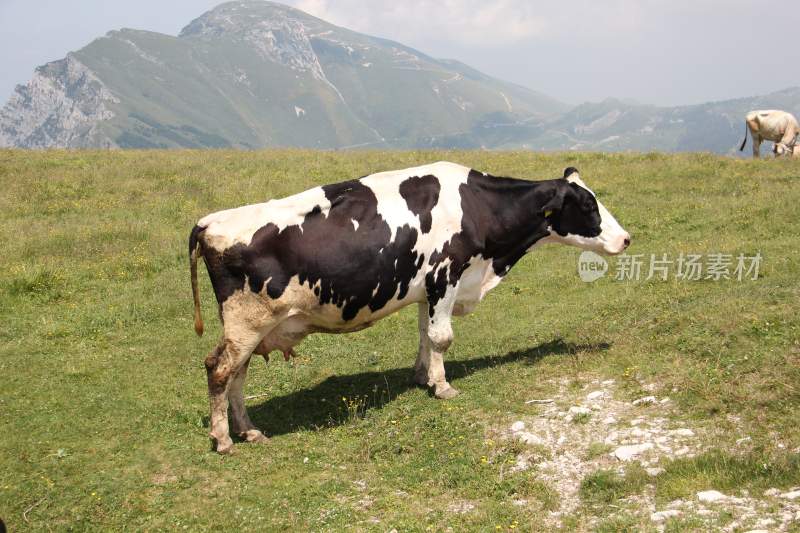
(579, 432)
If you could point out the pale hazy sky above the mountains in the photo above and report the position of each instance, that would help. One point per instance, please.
(654, 51)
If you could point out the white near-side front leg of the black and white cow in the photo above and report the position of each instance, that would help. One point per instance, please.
(439, 333)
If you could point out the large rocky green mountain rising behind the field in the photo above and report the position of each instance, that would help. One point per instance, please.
(254, 74)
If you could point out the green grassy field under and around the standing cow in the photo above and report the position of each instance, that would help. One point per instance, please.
(103, 399)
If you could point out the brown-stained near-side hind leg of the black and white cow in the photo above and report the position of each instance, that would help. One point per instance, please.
(222, 366)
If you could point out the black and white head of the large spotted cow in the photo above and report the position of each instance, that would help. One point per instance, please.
(576, 217)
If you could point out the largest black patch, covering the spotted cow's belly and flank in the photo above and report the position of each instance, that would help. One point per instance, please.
(354, 268)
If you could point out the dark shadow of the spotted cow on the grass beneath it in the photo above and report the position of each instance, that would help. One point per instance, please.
(337, 399)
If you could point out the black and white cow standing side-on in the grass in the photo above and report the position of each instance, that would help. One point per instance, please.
(340, 257)
